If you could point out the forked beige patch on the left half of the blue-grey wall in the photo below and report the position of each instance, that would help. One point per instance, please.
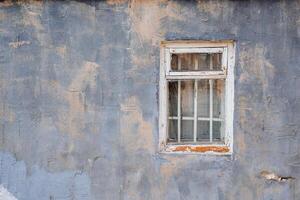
(72, 119)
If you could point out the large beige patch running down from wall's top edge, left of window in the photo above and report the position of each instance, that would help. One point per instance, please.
(146, 23)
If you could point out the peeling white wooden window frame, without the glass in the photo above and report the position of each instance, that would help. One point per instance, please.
(227, 48)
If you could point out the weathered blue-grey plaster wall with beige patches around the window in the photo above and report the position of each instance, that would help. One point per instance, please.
(79, 99)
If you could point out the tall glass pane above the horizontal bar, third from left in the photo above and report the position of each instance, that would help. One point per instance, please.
(203, 98)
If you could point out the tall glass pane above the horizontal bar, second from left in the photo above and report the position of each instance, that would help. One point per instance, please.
(187, 98)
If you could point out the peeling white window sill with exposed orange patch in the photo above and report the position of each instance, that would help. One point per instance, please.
(197, 149)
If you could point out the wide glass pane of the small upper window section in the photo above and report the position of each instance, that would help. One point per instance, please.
(196, 62)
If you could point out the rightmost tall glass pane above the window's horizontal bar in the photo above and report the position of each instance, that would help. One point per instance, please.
(218, 98)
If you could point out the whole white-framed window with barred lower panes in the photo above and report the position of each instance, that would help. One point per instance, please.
(196, 96)
